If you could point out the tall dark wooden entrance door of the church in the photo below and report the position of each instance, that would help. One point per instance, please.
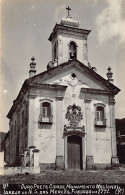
(74, 146)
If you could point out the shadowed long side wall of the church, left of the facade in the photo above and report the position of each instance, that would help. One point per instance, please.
(18, 130)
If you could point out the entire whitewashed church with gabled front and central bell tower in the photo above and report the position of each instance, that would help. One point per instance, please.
(67, 112)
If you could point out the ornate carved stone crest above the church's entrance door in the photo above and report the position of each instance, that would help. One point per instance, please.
(74, 115)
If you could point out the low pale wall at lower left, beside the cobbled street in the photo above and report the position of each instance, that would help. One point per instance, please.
(19, 170)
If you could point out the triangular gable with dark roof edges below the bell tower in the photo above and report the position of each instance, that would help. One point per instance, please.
(61, 75)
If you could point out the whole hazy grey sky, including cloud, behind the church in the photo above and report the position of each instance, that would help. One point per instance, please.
(25, 29)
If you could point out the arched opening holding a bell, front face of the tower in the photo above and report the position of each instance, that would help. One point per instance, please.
(72, 50)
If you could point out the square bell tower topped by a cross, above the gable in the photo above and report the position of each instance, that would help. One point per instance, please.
(69, 41)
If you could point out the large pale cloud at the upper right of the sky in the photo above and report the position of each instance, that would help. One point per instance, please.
(110, 22)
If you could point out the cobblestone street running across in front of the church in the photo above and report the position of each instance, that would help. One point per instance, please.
(64, 177)
